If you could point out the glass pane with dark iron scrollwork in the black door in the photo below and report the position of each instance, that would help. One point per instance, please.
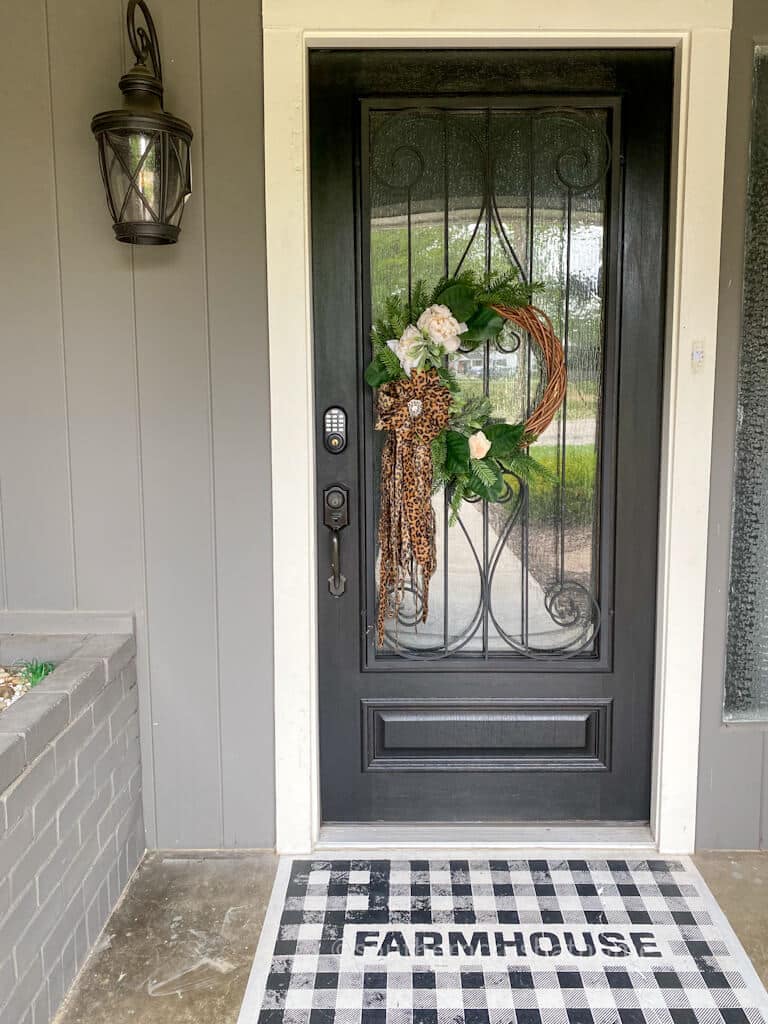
(491, 190)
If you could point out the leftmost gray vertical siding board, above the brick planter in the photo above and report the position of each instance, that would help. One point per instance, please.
(37, 507)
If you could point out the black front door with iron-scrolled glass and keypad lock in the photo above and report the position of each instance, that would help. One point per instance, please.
(527, 696)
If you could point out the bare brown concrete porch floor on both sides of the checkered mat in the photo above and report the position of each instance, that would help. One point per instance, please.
(179, 949)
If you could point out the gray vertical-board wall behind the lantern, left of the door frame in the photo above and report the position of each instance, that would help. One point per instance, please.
(135, 420)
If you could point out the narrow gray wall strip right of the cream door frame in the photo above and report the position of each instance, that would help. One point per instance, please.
(734, 762)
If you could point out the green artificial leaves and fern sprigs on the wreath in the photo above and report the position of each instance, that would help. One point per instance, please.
(471, 301)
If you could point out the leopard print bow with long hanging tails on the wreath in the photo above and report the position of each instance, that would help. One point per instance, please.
(414, 412)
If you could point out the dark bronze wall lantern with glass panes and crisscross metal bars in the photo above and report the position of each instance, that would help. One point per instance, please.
(144, 153)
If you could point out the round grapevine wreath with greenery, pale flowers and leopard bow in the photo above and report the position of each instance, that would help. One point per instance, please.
(438, 437)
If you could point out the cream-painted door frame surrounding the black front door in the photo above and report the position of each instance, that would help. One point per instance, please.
(702, 50)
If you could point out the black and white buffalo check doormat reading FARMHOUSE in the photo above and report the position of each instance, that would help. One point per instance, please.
(498, 942)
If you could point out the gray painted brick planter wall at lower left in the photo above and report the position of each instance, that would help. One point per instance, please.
(71, 826)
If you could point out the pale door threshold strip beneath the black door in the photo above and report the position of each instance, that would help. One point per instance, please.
(470, 835)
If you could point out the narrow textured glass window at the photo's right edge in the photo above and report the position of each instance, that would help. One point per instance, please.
(747, 667)
